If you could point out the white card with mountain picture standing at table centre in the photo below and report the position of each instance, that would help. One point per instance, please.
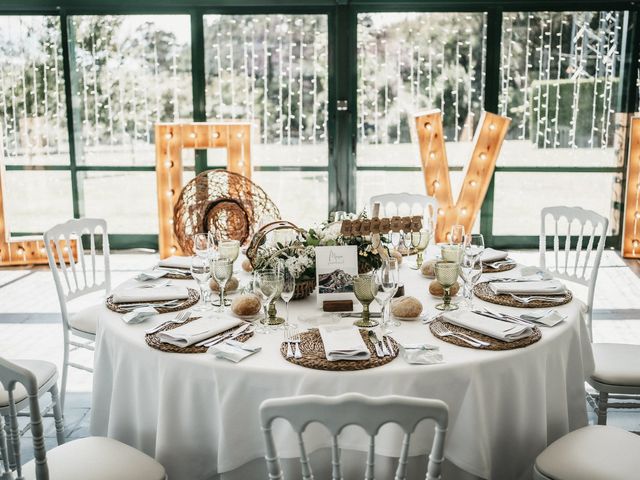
(335, 268)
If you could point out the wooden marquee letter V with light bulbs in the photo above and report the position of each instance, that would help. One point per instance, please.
(477, 176)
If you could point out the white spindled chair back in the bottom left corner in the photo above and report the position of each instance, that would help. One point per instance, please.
(10, 375)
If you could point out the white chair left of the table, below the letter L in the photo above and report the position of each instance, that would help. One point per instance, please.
(74, 279)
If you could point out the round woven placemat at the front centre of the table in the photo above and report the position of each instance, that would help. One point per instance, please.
(313, 354)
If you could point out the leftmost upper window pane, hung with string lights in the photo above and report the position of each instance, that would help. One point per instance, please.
(33, 124)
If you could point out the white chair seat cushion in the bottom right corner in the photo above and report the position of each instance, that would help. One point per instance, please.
(596, 452)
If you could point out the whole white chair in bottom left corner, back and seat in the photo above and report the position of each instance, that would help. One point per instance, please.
(91, 458)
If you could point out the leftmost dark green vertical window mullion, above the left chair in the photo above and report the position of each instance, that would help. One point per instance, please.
(73, 114)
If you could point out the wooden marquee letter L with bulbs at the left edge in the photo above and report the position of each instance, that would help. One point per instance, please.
(27, 250)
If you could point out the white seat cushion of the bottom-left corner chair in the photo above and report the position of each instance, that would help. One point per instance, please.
(98, 458)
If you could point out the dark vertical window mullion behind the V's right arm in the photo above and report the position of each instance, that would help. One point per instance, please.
(491, 104)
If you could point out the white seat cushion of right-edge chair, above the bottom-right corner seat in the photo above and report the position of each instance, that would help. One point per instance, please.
(617, 364)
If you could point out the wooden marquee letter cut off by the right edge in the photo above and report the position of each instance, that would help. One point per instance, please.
(631, 223)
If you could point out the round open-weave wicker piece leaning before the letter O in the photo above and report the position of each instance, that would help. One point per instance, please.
(221, 201)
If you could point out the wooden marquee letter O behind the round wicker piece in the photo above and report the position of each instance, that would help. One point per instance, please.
(171, 139)
